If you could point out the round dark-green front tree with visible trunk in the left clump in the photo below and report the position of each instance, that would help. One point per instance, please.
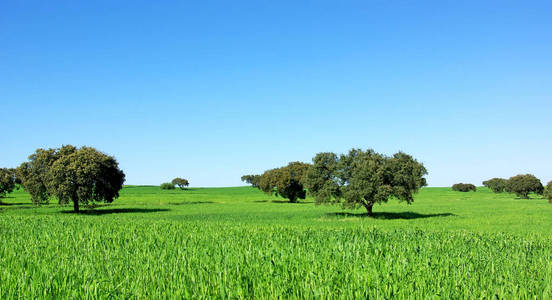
(85, 175)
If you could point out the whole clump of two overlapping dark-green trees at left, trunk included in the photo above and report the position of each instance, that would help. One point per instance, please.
(78, 175)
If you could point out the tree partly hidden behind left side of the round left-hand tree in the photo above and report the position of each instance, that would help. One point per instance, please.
(33, 174)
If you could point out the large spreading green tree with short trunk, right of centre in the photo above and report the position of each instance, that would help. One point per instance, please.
(364, 178)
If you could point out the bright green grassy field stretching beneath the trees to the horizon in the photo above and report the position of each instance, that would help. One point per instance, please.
(240, 243)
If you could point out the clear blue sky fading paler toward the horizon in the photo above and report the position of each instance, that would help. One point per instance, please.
(211, 90)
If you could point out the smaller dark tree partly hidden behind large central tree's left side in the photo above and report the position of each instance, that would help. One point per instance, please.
(286, 182)
